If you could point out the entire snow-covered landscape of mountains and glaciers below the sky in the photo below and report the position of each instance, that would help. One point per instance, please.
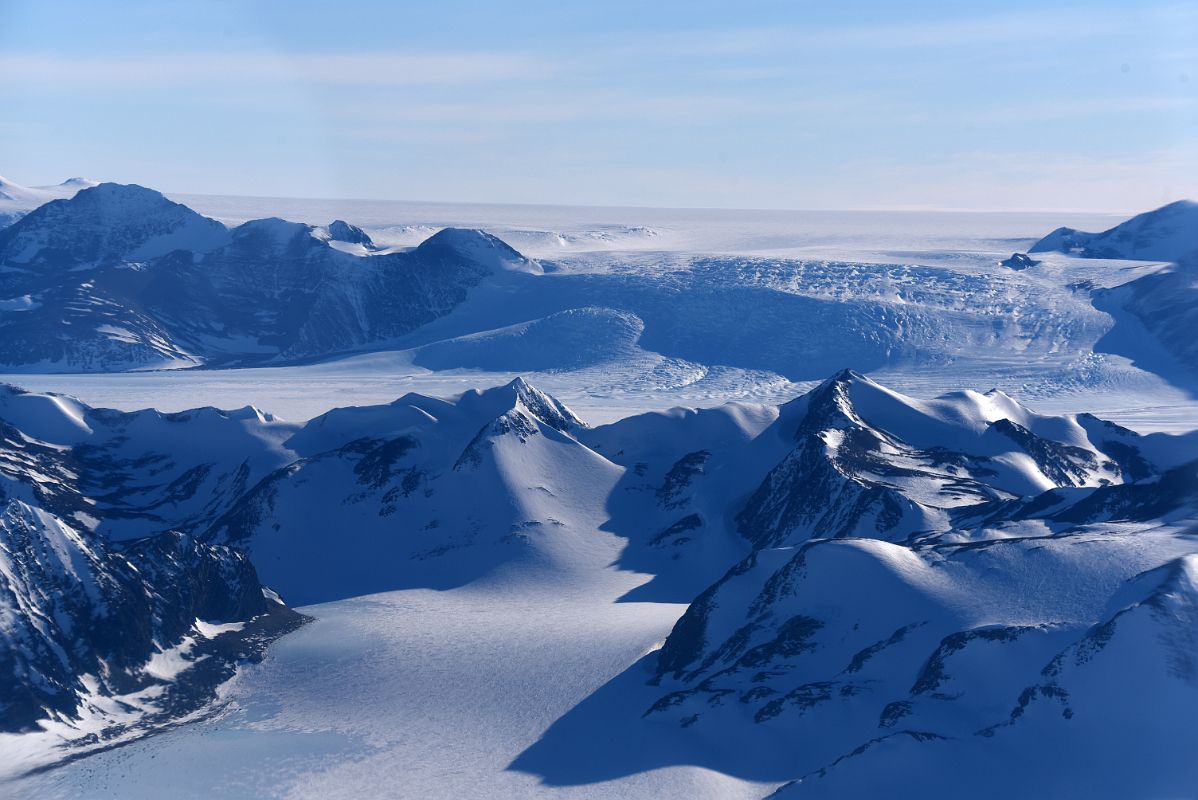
(597, 504)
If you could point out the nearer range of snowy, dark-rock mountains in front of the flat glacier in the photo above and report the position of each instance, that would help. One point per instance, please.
(864, 571)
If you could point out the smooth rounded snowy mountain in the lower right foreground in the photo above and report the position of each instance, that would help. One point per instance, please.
(849, 660)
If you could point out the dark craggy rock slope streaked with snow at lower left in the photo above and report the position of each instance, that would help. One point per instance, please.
(87, 620)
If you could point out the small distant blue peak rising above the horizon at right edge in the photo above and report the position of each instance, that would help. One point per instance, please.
(1167, 234)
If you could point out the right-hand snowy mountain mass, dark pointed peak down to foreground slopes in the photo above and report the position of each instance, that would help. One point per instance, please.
(957, 579)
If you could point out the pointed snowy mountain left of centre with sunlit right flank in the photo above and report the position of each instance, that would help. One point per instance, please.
(423, 493)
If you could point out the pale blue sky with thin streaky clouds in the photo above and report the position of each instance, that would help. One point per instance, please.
(789, 105)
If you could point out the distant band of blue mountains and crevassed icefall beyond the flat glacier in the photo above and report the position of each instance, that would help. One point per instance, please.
(120, 278)
